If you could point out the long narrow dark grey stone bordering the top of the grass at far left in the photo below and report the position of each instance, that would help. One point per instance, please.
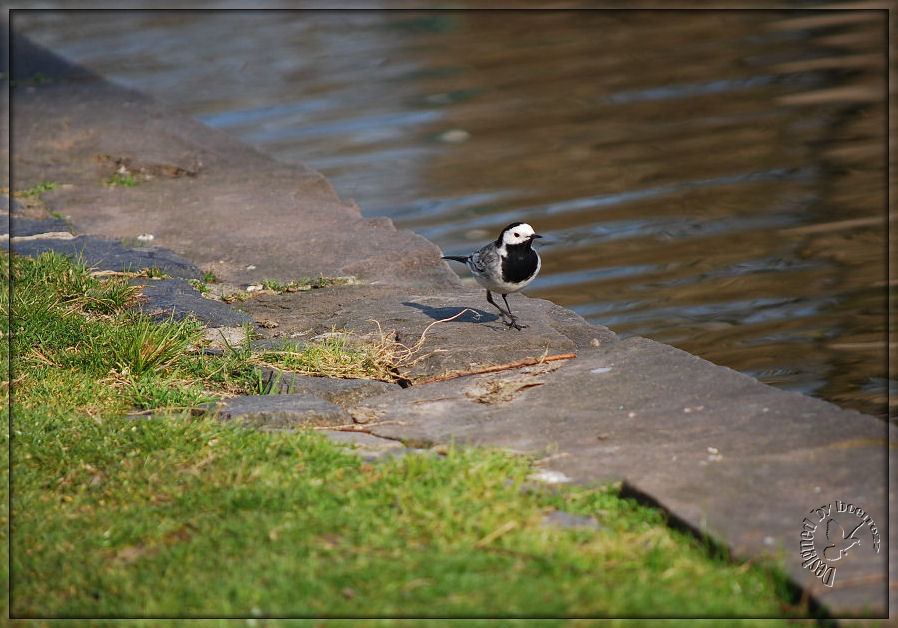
(104, 254)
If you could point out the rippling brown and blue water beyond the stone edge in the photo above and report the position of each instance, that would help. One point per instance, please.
(715, 180)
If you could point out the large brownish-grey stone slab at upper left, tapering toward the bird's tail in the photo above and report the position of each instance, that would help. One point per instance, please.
(243, 215)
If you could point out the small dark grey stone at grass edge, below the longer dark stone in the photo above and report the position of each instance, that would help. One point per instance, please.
(178, 299)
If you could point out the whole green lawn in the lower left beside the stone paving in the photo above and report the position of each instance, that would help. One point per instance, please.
(171, 514)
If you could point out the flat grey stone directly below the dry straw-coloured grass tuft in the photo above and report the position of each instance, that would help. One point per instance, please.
(343, 392)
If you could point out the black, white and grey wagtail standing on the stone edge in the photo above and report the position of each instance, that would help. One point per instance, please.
(507, 265)
